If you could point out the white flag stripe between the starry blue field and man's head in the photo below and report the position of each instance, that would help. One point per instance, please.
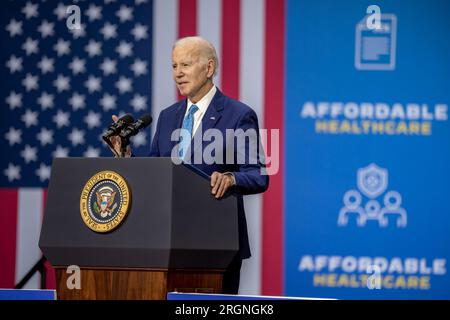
(165, 32)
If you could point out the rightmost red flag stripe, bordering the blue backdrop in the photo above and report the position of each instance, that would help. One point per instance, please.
(273, 256)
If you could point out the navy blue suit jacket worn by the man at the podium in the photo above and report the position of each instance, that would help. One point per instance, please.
(222, 113)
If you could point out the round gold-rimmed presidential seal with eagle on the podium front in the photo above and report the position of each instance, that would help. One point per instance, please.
(105, 201)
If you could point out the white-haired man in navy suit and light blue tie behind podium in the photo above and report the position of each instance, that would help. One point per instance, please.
(194, 64)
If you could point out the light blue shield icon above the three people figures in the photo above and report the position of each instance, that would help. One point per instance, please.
(372, 180)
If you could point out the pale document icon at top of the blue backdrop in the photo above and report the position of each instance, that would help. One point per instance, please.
(375, 49)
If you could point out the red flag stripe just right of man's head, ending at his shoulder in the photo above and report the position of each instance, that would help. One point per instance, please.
(230, 48)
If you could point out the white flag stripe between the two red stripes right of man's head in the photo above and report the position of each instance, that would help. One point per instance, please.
(252, 93)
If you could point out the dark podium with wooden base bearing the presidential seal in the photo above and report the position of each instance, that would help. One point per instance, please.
(175, 236)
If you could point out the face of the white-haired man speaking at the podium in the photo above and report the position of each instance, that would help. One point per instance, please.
(189, 71)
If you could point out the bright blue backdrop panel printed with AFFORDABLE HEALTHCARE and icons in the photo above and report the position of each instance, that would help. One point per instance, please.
(367, 211)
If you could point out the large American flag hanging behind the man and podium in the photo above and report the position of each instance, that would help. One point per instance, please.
(60, 87)
